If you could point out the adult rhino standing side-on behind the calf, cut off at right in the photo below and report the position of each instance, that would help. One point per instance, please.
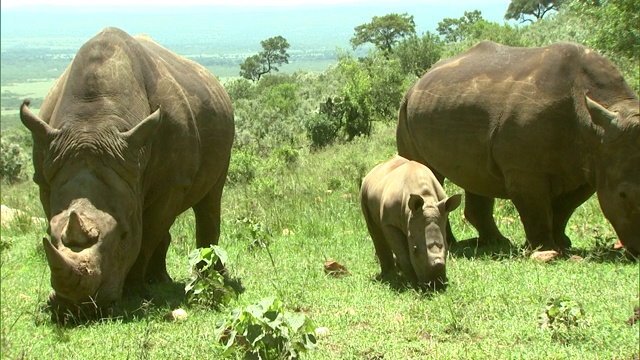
(545, 127)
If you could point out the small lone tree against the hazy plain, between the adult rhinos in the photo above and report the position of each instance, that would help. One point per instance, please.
(273, 55)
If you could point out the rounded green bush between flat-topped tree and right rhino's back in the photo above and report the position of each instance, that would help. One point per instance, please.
(417, 54)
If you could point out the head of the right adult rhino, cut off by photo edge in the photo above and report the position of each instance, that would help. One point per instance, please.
(618, 167)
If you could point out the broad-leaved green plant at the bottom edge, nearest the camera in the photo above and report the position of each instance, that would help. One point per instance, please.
(266, 331)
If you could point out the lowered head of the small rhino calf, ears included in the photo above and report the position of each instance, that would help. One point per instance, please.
(426, 235)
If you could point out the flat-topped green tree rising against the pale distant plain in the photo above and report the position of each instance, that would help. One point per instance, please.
(384, 31)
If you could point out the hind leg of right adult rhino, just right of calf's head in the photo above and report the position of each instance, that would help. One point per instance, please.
(478, 210)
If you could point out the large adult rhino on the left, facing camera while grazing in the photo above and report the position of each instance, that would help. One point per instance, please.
(130, 136)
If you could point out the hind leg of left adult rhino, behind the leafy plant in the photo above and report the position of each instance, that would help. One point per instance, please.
(207, 213)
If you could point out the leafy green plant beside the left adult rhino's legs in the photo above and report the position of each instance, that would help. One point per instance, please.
(207, 286)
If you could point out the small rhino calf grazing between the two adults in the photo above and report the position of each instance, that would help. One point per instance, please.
(406, 211)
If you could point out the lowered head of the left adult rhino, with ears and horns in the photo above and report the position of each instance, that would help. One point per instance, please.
(90, 188)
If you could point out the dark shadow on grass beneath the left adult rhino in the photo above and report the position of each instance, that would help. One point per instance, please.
(131, 308)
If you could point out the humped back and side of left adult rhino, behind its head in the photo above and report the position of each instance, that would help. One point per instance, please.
(116, 80)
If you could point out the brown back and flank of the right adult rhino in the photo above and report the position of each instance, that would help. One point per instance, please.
(496, 109)
